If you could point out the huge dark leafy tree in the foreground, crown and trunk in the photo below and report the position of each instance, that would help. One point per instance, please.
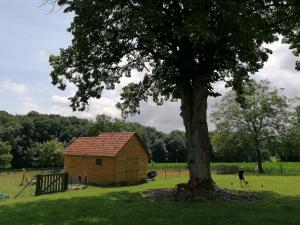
(181, 46)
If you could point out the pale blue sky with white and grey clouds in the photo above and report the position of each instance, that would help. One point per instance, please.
(30, 33)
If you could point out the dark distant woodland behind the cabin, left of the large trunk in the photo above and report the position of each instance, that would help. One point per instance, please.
(37, 140)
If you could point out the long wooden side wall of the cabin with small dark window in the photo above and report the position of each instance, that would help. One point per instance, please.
(99, 174)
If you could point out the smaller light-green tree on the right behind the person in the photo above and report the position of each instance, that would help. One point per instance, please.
(263, 115)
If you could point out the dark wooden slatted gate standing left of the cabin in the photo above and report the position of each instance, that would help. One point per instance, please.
(51, 183)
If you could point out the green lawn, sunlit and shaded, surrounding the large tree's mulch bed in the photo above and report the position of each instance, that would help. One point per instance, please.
(125, 205)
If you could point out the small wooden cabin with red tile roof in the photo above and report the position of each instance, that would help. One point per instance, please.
(113, 157)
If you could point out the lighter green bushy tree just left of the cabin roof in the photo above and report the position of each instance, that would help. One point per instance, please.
(50, 154)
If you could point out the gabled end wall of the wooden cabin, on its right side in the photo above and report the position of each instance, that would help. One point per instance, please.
(132, 150)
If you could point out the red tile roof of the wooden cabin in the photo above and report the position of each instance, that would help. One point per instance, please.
(105, 144)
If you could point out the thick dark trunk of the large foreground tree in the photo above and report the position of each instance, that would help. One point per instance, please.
(193, 112)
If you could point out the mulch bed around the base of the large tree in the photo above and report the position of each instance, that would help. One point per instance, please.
(219, 195)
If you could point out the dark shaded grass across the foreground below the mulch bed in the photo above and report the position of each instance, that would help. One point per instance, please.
(126, 208)
